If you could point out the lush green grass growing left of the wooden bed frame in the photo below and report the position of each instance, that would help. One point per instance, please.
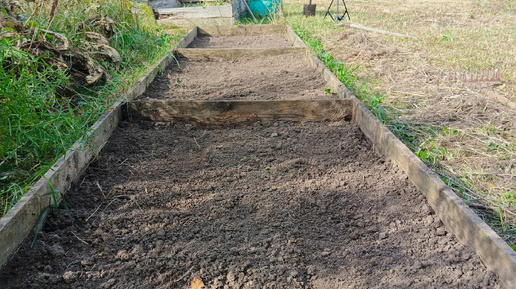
(37, 123)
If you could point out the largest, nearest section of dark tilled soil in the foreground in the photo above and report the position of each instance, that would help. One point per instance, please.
(268, 205)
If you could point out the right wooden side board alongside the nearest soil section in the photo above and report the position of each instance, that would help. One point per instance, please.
(458, 218)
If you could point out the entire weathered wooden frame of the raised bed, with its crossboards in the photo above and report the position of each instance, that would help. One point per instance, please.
(459, 219)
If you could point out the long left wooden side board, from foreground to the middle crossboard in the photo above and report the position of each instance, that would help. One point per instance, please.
(18, 223)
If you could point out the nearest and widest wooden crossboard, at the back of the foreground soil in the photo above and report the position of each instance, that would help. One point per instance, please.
(225, 113)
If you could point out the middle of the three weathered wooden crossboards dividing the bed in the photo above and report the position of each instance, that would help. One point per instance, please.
(205, 53)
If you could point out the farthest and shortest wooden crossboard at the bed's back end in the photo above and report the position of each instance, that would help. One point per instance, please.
(249, 30)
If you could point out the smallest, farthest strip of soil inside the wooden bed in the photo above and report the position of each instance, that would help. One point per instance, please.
(241, 41)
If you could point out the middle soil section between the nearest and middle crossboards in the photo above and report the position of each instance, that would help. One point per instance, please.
(287, 76)
